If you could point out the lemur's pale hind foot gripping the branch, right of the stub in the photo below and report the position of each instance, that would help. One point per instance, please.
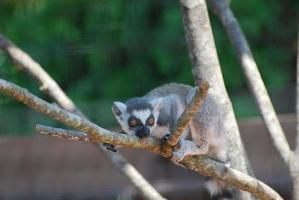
(186, 148)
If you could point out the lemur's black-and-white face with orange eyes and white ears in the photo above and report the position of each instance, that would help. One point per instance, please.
(138, 116)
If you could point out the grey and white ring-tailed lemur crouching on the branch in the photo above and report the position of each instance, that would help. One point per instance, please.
(156, 113)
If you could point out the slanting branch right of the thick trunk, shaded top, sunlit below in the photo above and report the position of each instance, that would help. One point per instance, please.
(236, 36)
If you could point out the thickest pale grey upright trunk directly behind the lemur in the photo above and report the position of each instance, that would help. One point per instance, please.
(205, 66)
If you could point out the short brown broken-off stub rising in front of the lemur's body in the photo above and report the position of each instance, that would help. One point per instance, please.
(188, 114)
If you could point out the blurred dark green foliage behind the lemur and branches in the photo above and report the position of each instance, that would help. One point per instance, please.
(106, 50)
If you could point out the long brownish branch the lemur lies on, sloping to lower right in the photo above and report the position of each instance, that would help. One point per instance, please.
(202, 165)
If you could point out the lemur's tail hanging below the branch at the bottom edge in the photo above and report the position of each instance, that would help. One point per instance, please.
(219, 190)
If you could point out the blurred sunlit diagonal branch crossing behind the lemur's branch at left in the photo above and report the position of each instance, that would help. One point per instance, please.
(48, 85)
